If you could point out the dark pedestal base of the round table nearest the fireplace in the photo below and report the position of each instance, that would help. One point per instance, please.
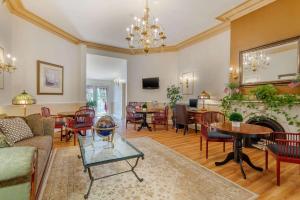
(238, 156)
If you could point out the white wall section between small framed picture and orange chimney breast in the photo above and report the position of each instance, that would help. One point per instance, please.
(209, 60)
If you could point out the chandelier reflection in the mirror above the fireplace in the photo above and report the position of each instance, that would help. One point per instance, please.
(254, 60)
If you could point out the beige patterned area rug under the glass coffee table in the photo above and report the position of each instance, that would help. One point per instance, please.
(167, 176)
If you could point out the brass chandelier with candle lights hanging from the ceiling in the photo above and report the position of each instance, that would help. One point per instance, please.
(146, 32)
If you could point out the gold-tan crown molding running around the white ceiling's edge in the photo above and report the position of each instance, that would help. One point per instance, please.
(16, 7)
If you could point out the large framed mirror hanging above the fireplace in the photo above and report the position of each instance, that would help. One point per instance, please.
(276, 63)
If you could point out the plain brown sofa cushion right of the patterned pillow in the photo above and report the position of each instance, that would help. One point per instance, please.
(35, 123)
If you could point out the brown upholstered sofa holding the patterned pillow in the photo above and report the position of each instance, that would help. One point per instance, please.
(43, 130)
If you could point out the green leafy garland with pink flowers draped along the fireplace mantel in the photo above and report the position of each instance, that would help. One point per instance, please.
(265, 96)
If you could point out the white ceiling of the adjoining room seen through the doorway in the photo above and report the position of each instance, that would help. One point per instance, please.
(105, 68)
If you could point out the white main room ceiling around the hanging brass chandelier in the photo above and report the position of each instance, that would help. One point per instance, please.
(105, 21)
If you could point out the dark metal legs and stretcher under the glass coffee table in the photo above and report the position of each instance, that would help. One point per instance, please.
(92, 179)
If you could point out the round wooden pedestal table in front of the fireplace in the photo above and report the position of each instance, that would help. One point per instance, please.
(239, 133)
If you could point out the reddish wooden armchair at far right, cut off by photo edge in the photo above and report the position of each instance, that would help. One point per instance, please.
(284, 147)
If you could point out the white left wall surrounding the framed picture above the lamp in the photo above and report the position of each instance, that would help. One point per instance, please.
(30, 43)
